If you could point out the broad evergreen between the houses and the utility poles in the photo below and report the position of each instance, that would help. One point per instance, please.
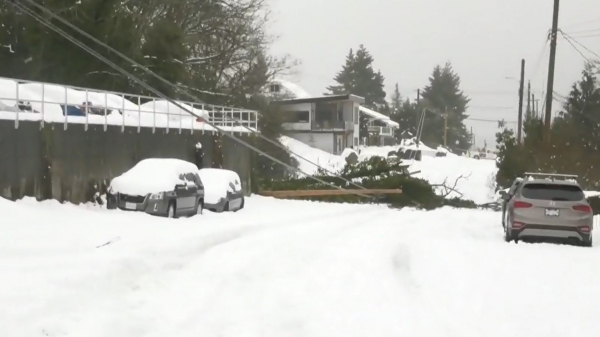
(443, 94)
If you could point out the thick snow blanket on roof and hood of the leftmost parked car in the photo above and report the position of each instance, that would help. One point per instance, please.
(152, 176)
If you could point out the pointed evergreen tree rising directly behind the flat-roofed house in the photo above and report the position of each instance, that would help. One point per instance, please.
(357, 77)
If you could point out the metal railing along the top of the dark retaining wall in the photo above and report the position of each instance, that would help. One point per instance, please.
(54, 103)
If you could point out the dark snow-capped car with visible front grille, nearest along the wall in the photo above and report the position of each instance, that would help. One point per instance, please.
(164, 187)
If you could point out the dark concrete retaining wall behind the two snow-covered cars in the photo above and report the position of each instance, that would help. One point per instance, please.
(53, 163)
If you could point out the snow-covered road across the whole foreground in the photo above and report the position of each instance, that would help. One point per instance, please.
(286, 268)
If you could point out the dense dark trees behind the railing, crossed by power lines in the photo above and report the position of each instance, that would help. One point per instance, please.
(214, 48)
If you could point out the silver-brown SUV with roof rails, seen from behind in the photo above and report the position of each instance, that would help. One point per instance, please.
(547, 206)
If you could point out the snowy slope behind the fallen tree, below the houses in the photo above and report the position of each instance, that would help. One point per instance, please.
(474, 178)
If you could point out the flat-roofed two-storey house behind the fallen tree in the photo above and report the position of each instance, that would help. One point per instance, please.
(329, 123)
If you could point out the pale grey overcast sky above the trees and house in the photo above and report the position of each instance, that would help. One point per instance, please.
(485, 41)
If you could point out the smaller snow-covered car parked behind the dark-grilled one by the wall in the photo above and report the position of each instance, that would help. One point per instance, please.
(223, 190)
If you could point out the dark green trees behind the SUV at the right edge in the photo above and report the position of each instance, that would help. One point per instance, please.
(575, 134)
